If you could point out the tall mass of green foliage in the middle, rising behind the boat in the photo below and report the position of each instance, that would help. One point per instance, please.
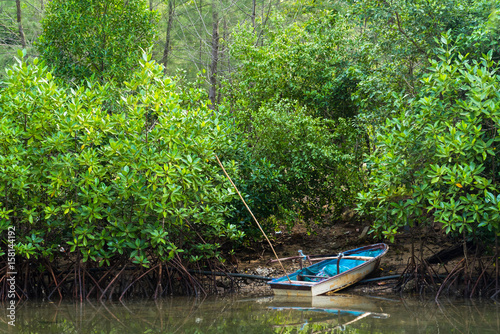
(291, 101)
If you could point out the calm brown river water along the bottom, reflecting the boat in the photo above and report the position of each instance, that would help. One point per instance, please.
(339, 314)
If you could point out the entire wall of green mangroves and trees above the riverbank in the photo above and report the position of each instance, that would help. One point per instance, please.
(391, 108)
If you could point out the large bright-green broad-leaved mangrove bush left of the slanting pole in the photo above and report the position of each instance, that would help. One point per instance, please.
(140, 182)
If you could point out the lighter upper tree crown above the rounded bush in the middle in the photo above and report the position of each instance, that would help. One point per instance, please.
(306, 62)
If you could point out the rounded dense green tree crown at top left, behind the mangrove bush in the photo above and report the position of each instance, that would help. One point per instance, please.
(104, 39)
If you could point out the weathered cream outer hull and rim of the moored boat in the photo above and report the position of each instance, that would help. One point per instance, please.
(296, 288)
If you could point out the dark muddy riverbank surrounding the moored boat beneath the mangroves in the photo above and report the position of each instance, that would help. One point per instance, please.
(412, 246)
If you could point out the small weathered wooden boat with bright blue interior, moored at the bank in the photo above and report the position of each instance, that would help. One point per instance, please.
(332, 273)
